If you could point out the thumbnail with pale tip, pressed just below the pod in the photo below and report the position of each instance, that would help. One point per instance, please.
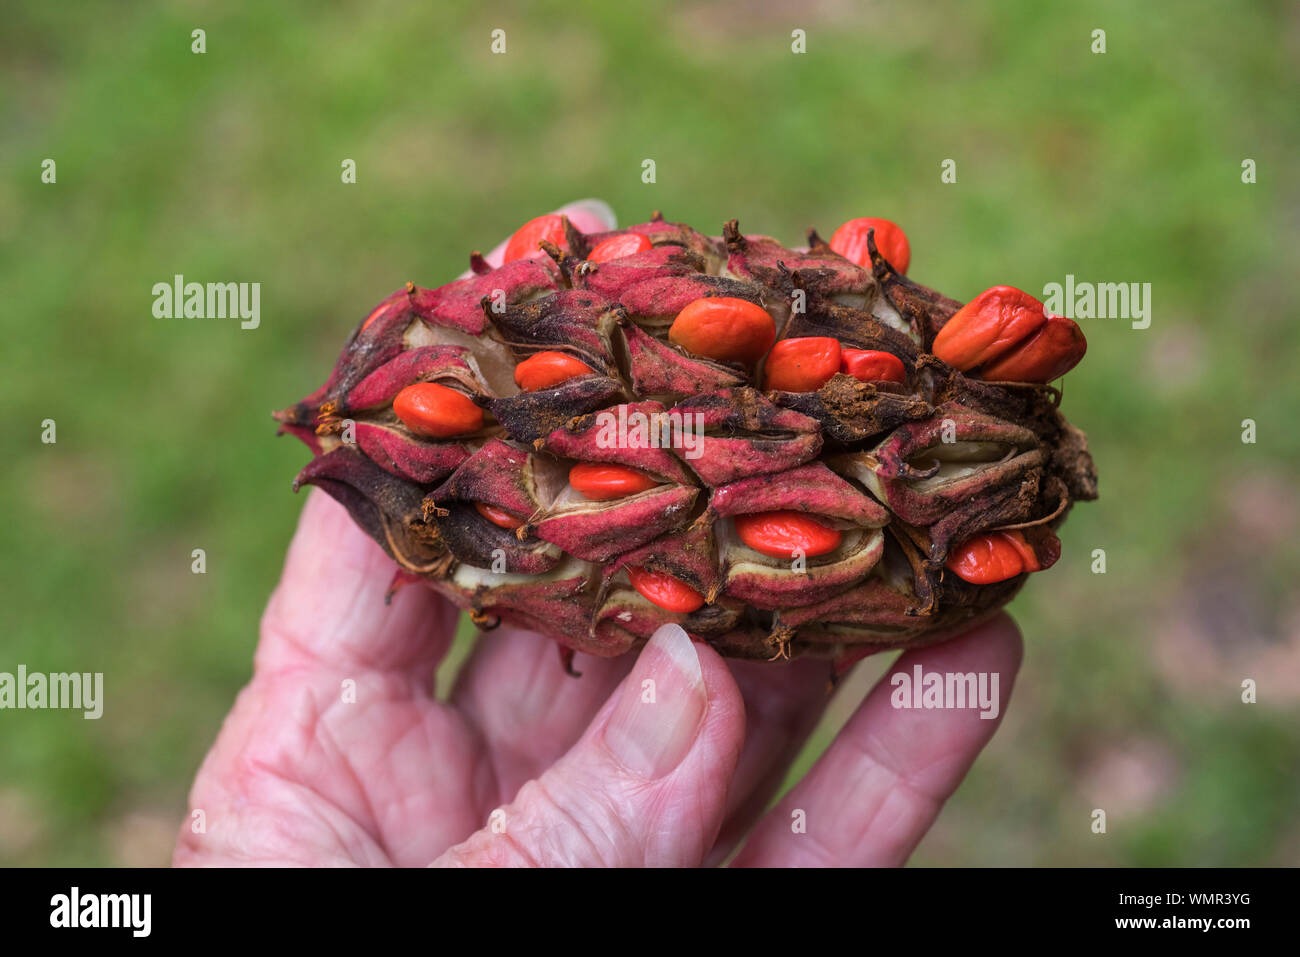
(661, 707)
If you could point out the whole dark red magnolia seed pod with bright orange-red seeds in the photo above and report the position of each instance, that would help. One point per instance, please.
(618, 430)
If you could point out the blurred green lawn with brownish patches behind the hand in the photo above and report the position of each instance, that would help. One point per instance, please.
(1121, 167)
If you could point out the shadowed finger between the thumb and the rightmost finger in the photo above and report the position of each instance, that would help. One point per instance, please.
(783, 704)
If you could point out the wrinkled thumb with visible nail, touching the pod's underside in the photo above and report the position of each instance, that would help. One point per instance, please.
(647, 783)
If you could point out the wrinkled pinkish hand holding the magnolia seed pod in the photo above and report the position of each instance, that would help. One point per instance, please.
(583, 773)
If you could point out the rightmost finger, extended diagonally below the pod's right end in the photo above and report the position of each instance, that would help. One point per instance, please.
(879, 787)
